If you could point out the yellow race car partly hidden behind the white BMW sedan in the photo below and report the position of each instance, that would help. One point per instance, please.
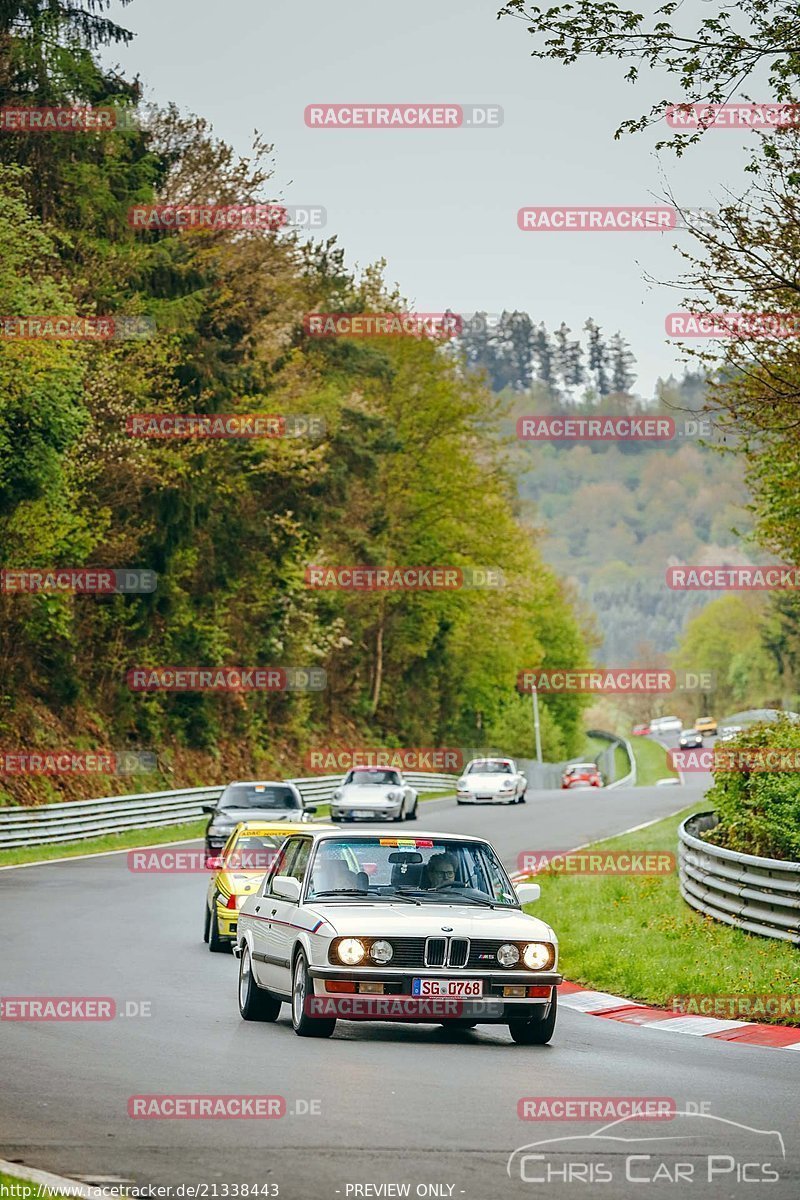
(238, 871)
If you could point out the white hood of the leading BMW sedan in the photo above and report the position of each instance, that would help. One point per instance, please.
(382, 919)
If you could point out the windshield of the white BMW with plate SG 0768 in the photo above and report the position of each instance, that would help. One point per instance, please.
(431, 871)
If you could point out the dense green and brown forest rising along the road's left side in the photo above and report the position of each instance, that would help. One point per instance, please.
(231, 526)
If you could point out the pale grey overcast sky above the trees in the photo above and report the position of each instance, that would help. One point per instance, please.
(441, 206)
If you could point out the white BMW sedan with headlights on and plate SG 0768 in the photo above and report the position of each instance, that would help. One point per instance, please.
(430, 928)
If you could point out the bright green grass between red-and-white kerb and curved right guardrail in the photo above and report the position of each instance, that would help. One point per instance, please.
(637, 938)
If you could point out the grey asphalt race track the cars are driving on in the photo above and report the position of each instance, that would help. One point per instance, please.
(377, 1105)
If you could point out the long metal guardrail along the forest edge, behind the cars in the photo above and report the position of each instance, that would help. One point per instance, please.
(79, 820)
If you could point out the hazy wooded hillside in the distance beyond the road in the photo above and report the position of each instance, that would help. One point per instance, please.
(618, 514)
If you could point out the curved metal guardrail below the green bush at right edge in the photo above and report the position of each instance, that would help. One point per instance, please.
(760, 896)
